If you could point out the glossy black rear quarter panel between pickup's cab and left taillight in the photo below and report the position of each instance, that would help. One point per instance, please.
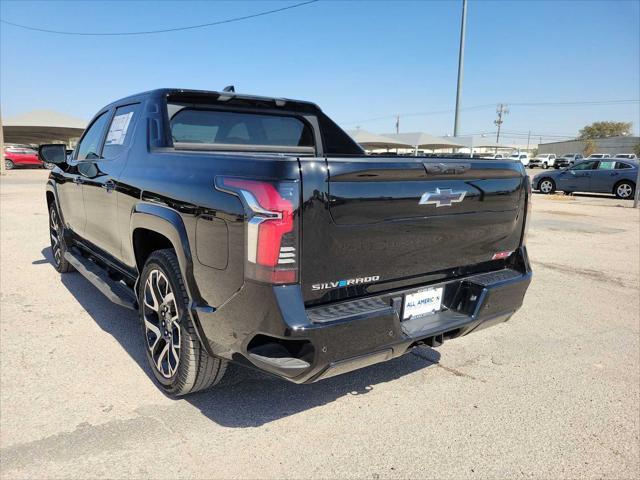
(214, 221)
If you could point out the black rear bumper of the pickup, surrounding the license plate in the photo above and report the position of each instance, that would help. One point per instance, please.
(269, 328)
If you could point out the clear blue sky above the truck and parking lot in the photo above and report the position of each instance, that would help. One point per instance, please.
(358, 60)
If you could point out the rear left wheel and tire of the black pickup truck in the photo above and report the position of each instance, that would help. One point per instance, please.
(192, 368)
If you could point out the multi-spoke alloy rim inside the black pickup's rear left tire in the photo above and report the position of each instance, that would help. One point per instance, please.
(161, 324)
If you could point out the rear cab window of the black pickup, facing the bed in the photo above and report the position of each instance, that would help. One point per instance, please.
(236, 128)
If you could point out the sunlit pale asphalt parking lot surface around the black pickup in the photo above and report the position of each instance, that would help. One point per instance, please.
(555, 392)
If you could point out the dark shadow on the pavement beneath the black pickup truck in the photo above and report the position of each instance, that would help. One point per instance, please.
(244, 398)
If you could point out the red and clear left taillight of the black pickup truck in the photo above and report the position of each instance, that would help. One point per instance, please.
(272, 230)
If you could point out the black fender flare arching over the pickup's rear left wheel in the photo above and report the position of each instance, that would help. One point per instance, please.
(168, 222)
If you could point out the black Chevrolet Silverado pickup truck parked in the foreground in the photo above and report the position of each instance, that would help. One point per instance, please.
(254, 230)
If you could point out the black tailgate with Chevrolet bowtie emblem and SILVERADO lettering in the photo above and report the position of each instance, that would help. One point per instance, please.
(392, 221)
